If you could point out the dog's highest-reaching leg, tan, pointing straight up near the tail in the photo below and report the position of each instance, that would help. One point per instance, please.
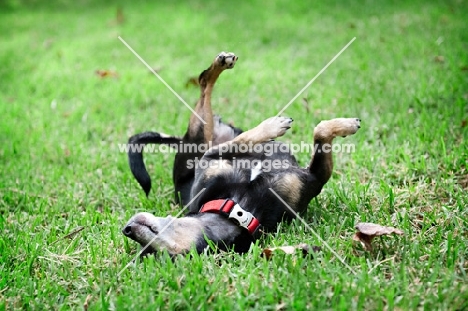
(198, 131)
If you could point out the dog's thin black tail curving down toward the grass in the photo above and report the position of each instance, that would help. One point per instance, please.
(135, 154)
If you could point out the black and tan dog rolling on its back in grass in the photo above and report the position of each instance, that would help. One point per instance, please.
(232, 197)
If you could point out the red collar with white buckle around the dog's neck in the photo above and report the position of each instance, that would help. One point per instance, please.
(234, 212)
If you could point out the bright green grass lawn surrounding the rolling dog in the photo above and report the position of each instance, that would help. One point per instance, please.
(405, 76)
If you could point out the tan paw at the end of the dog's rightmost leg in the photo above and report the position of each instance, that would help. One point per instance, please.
(338, 127)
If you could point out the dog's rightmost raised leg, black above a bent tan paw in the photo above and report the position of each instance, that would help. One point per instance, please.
(321, 165)
